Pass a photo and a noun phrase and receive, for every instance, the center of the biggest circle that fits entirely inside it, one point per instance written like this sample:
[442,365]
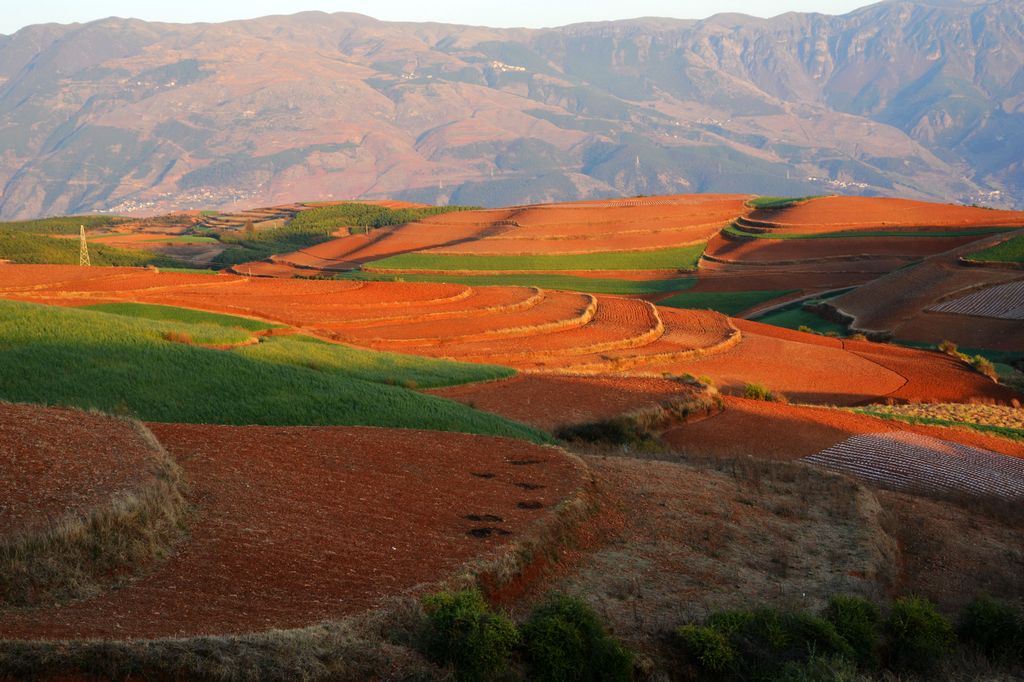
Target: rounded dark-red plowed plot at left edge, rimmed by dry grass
[55,462]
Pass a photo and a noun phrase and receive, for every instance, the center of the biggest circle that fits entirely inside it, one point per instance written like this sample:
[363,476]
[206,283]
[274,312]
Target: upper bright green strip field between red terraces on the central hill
[684,259]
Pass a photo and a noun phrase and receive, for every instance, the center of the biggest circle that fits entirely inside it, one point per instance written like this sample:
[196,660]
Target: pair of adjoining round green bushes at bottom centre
[563,641]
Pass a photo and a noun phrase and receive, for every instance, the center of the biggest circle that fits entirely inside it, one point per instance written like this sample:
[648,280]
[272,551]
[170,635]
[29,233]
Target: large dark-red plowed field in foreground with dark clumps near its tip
[297,526]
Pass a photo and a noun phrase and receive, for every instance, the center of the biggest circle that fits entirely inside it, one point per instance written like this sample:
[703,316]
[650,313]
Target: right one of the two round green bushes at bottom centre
[565,641]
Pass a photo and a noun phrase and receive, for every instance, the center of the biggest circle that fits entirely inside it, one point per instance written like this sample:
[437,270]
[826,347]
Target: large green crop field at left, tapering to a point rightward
[87,359]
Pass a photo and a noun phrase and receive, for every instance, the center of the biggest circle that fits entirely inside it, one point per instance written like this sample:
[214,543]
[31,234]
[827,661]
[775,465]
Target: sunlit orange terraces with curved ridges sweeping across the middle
[536,330]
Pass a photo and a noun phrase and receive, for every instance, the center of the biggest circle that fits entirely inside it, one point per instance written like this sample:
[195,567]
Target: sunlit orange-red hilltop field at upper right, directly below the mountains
[833,214]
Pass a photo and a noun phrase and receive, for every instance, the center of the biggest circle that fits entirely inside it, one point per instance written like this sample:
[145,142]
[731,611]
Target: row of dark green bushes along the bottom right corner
[854,637]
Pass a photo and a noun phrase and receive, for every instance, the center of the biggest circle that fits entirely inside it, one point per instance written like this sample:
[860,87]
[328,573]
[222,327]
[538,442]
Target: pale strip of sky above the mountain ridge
[18,14]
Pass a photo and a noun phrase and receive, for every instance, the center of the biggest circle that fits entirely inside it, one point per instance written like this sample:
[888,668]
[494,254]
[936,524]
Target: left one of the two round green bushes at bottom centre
[463,633]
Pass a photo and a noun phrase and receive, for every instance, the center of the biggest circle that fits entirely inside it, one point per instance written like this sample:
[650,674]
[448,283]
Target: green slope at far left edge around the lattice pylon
[38,249]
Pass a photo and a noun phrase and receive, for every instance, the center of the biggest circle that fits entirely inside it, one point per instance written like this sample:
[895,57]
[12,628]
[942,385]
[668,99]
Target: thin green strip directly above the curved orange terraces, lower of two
[543,280]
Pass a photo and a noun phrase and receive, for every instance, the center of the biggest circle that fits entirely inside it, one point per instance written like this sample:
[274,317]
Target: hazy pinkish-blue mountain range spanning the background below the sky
[923,100]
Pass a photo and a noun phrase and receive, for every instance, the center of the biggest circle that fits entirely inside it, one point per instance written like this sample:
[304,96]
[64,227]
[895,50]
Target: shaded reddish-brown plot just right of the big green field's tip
[549,402]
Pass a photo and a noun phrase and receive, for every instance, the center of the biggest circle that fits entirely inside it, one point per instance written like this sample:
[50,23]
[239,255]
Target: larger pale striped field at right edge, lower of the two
[914,462]
